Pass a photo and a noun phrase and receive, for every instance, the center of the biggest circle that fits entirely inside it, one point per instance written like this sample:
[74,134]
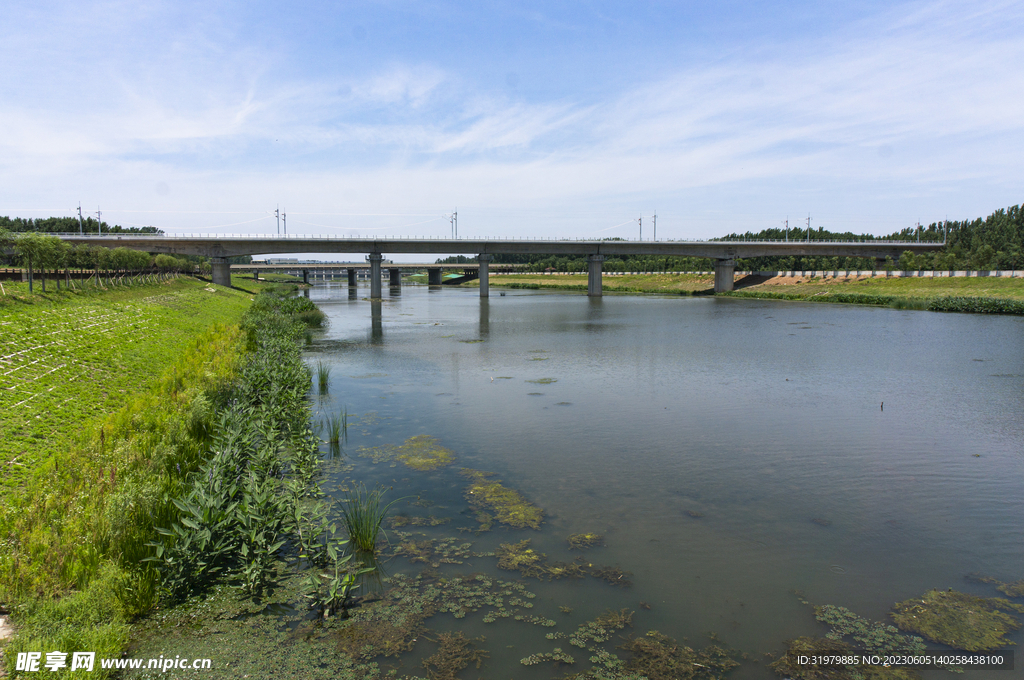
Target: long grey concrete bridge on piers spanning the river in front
[220,247]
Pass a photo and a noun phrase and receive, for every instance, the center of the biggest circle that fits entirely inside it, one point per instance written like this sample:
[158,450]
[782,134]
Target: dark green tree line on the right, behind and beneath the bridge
[996,242]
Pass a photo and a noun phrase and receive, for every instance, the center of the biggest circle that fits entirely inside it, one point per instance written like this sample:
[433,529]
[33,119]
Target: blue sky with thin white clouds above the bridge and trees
[529,119]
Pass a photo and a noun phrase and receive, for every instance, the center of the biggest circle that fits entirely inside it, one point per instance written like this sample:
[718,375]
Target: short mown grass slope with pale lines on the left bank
[69,360]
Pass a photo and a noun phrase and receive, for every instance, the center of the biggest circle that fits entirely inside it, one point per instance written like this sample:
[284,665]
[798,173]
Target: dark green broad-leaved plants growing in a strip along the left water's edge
[257,492]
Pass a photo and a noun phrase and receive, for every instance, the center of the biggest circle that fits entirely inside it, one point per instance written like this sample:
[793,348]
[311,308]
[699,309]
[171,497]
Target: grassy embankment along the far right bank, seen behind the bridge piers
[1001,295]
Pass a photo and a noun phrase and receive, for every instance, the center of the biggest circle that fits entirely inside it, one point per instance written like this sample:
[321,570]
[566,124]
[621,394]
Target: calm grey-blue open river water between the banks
[764,418]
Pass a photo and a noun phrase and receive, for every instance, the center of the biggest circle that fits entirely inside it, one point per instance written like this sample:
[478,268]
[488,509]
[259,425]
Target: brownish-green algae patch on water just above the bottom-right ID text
[961,621]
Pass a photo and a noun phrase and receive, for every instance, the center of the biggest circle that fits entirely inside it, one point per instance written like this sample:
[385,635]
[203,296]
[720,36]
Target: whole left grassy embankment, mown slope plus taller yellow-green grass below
[106,406]
